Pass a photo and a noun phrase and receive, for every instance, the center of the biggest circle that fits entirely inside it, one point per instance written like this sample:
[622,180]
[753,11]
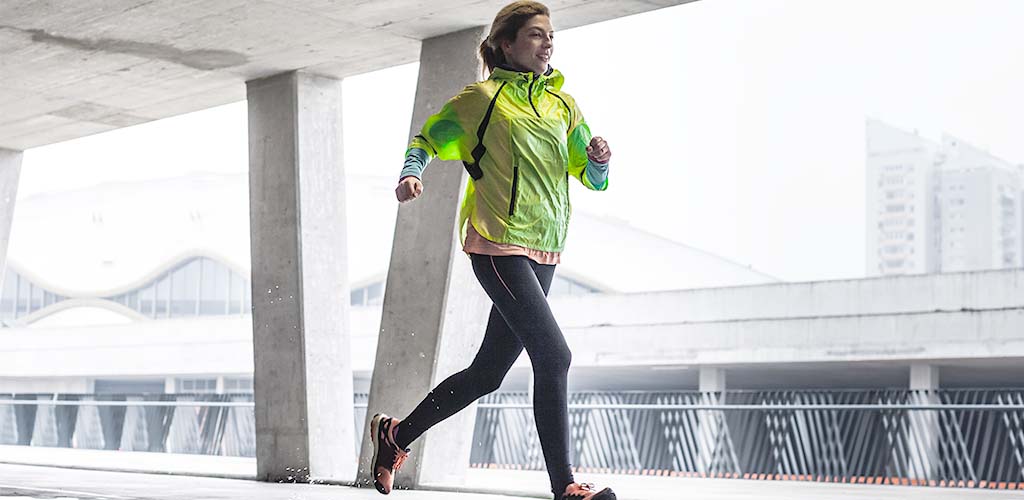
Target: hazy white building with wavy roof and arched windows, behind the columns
[136,288]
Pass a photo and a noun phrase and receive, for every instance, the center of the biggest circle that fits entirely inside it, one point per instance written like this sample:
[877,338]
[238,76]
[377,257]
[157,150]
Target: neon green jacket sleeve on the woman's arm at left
[451,134]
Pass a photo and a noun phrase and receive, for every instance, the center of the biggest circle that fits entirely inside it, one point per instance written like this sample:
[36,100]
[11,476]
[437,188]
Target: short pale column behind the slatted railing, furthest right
[923,429]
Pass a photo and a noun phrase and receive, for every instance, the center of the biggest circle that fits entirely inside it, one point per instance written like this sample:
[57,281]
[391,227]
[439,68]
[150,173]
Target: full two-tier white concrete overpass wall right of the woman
[972,316]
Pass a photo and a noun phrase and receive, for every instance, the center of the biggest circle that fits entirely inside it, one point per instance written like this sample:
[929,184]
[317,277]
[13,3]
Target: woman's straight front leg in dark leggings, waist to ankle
[519,288]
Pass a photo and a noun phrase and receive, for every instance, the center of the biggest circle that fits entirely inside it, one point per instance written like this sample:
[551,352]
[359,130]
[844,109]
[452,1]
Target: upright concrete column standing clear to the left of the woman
[304,373]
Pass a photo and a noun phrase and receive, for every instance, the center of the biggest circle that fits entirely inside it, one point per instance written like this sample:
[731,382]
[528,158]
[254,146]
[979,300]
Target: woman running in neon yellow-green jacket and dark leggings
[522,139]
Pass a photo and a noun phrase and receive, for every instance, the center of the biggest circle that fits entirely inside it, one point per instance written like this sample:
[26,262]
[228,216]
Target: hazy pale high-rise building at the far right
[938,207]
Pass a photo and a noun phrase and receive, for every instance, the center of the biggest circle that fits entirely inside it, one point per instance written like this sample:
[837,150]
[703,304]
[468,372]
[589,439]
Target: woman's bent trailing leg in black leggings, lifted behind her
[499,350]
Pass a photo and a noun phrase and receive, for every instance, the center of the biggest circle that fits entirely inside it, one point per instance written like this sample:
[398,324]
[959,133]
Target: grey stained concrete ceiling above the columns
[70,69]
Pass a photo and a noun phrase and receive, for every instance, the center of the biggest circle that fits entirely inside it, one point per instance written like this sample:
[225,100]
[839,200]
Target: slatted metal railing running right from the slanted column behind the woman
[942,438]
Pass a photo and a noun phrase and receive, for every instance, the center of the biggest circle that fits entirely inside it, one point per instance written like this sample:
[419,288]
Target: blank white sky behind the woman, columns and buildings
[738,127]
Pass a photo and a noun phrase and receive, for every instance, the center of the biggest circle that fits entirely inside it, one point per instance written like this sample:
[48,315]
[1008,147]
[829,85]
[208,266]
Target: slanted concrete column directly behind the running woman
[435,311]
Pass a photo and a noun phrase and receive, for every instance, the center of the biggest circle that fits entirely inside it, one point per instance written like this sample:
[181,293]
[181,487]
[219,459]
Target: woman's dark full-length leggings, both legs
[520,319]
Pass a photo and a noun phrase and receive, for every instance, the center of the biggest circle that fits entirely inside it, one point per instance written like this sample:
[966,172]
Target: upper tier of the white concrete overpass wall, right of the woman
[863,298]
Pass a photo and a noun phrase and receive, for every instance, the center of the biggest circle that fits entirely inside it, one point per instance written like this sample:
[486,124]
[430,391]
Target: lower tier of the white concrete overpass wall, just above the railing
[928,337]
